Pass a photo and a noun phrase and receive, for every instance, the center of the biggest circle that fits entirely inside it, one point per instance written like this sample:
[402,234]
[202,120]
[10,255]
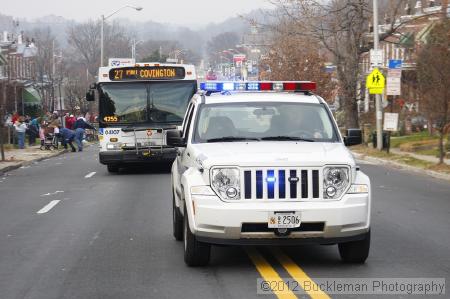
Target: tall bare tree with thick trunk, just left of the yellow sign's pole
[341,27]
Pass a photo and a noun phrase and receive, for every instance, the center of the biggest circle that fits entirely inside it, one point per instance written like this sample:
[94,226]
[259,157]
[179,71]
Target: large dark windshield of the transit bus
[145,102]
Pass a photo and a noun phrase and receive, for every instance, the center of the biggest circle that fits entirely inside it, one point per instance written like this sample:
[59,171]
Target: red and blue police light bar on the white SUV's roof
[216,86]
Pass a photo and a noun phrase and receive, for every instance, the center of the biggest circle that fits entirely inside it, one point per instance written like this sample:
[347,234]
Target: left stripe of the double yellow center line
[269,274]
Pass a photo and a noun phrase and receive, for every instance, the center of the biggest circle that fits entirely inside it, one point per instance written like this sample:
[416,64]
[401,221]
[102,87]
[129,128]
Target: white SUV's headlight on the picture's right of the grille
[335,181]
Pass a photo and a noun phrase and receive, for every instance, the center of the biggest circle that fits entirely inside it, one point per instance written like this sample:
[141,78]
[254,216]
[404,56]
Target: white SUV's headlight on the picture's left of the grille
[226,183]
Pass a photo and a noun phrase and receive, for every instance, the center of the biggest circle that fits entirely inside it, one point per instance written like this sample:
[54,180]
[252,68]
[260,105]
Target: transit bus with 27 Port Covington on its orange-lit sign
[138,104]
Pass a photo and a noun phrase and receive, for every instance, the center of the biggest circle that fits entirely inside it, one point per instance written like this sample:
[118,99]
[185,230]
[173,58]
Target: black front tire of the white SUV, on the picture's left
[195,253]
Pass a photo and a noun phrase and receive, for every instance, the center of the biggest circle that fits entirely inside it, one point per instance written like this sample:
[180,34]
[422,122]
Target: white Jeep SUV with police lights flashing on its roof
[265,168]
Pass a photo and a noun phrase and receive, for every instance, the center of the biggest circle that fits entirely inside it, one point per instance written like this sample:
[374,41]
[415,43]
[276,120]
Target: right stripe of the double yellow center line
[298,274]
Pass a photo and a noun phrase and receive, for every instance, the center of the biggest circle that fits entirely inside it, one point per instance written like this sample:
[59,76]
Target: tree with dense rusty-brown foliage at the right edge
[433,67]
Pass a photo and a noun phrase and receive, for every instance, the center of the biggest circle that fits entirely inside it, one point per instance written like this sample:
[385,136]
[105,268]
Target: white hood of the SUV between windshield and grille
[273,153]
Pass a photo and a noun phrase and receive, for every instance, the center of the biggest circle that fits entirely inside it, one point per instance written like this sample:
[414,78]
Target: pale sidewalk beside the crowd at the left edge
[16,158]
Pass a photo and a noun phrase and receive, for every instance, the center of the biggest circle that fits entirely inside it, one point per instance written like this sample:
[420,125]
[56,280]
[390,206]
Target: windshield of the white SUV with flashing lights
[264,121]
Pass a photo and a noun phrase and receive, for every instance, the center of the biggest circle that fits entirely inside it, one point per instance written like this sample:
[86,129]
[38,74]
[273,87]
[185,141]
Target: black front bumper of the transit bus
[133,157]
